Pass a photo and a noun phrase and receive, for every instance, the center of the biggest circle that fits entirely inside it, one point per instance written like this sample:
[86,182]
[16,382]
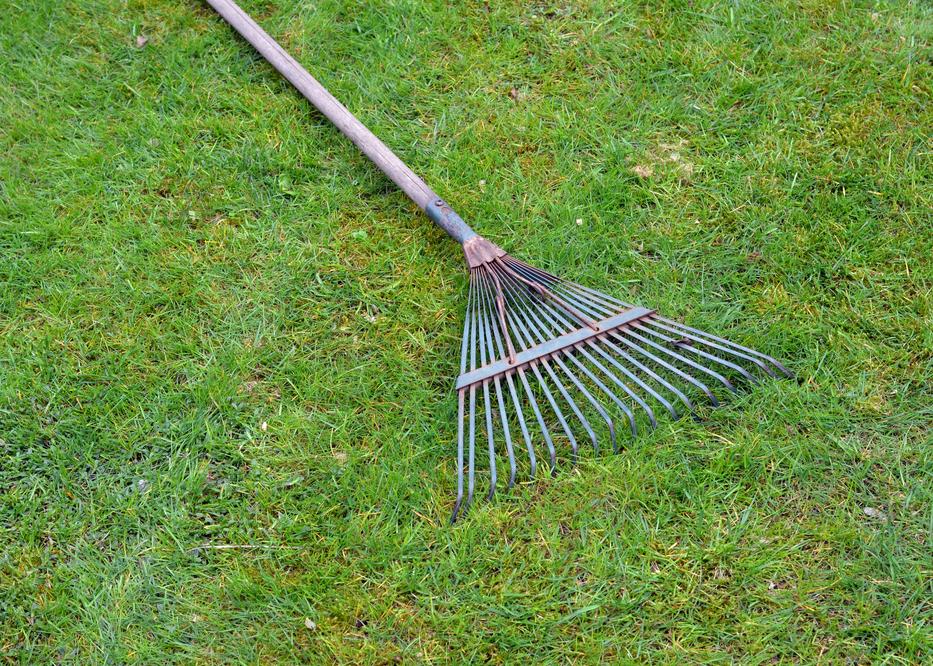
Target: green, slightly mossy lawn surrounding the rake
[229,345]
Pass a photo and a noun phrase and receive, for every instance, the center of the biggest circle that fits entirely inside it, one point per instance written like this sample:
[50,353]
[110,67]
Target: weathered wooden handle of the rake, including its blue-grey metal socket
[368,143]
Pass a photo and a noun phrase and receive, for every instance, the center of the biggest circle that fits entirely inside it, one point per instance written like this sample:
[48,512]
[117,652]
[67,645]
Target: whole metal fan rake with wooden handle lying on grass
[542,358]
